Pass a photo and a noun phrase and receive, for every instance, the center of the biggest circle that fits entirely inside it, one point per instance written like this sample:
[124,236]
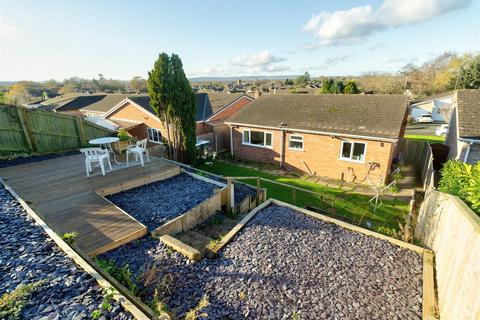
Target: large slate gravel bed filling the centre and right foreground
[284,264]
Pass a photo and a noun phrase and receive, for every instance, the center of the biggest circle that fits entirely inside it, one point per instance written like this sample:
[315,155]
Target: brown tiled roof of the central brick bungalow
[379,116]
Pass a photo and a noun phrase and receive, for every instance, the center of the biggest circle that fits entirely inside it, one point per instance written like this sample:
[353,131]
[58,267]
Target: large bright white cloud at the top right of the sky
[355,24]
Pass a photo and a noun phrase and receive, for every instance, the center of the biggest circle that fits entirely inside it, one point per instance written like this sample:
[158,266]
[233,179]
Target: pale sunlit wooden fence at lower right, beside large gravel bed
[452,231]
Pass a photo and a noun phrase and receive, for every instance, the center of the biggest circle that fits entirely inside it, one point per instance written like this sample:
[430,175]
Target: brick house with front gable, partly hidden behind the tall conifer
[130,112]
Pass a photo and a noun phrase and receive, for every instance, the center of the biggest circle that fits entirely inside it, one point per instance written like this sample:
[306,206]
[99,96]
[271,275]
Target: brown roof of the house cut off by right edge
[468,105]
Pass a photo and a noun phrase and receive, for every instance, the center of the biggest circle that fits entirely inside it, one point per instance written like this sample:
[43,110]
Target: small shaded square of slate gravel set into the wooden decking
[158,202]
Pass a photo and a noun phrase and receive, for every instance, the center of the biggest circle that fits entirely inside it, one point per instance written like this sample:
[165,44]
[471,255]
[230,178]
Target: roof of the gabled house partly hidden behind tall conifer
[104,102]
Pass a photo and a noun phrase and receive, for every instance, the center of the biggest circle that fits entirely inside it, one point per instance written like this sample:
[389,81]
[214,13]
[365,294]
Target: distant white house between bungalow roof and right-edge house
[438,106]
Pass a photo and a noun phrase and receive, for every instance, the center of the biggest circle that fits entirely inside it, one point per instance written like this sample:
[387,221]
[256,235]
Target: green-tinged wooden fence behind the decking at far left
[22,130]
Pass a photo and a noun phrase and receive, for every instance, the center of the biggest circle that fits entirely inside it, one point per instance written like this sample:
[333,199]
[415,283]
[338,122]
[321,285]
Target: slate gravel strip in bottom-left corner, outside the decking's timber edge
[28,255]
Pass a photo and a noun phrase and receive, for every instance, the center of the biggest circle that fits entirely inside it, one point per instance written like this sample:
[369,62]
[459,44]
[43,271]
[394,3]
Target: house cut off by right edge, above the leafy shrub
[463,136]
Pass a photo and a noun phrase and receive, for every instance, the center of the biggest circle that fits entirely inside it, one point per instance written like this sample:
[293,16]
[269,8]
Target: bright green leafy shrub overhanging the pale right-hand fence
[462,180]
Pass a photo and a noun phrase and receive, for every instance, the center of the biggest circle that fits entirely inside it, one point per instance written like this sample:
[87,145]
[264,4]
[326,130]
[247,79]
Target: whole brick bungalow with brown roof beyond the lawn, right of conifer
[347,137]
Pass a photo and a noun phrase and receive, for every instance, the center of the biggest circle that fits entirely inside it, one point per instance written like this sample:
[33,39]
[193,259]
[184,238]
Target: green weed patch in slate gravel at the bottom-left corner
[12,303]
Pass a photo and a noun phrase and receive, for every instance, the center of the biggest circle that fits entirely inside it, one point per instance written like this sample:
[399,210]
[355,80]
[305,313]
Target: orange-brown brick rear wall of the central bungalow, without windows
[321,155]
